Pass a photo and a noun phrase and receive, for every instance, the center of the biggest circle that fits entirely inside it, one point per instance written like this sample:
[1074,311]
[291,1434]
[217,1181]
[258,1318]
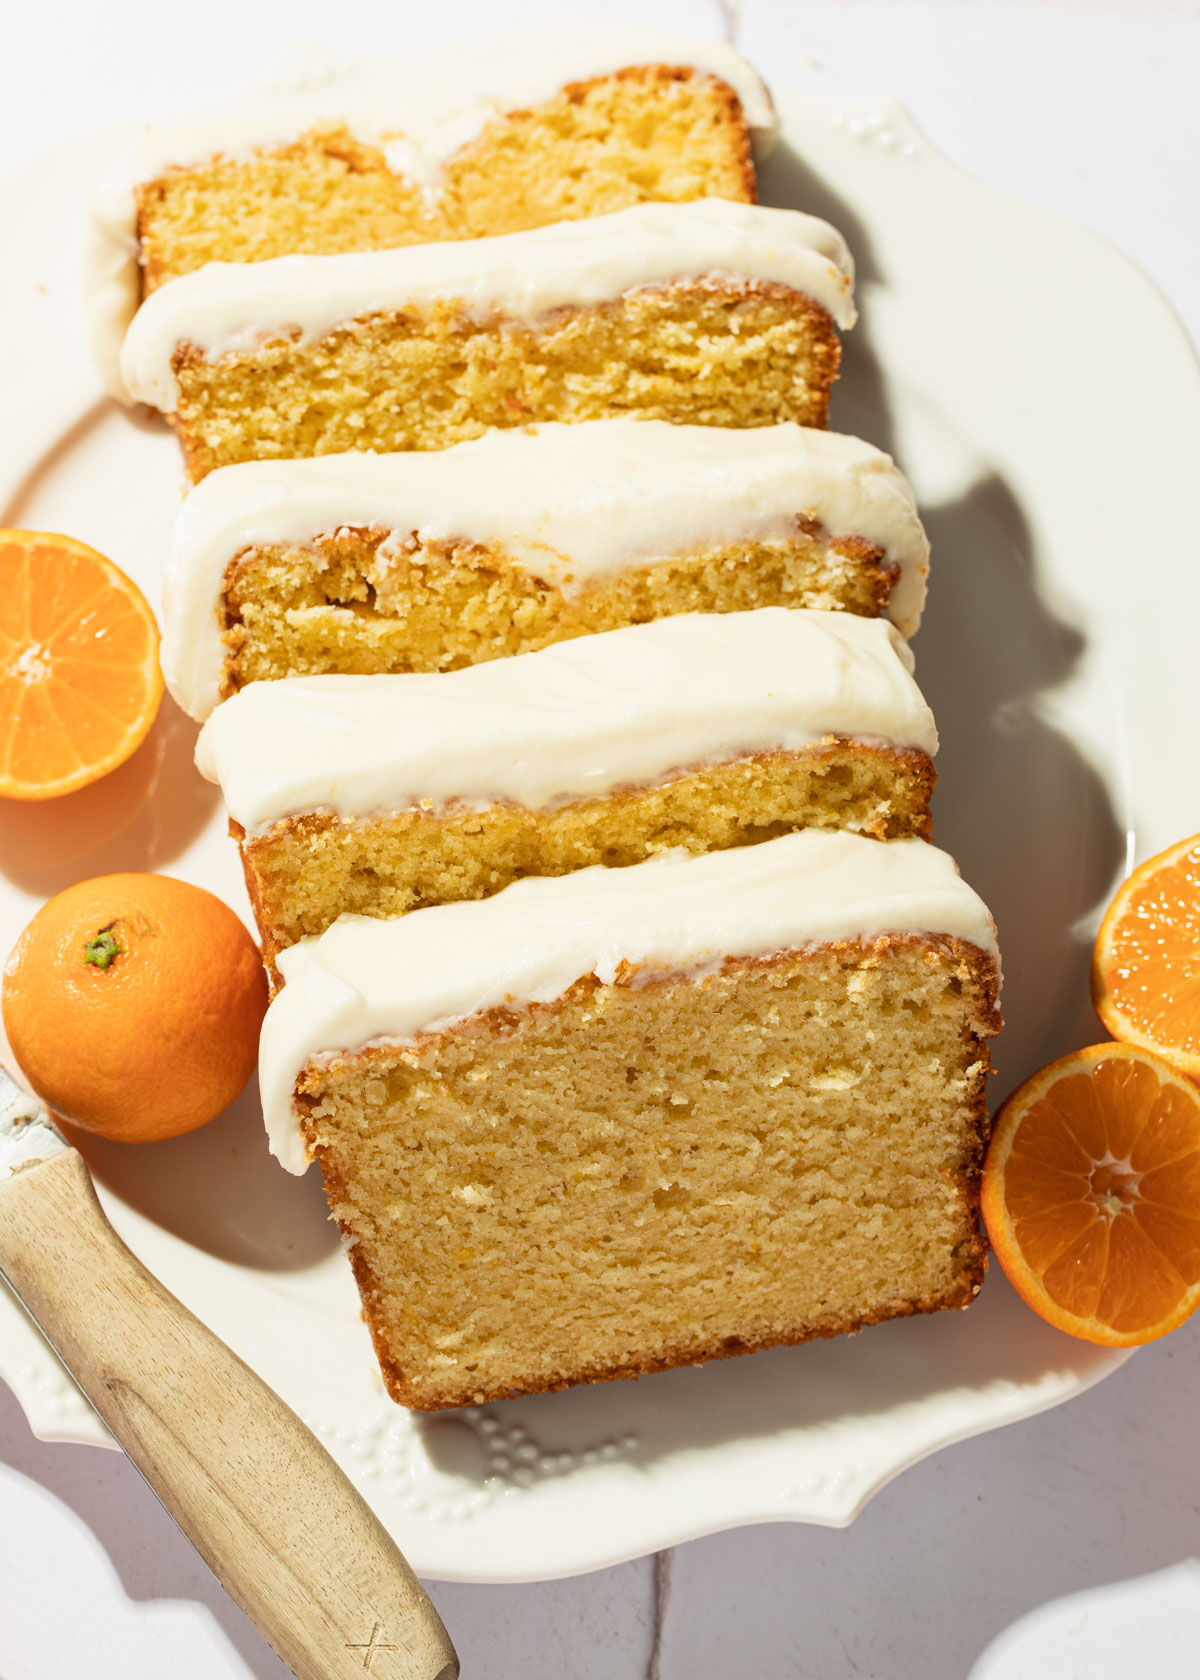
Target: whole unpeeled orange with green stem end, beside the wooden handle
[134,1005]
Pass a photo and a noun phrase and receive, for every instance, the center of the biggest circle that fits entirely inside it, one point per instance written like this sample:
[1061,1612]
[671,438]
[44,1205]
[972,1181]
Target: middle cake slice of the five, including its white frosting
[428,562]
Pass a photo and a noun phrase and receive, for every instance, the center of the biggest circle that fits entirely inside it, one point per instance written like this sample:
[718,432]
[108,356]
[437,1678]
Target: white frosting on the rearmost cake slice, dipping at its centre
[419,110]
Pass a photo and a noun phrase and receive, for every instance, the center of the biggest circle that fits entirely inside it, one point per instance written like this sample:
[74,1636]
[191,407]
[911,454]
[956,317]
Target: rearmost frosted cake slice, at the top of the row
[495,137]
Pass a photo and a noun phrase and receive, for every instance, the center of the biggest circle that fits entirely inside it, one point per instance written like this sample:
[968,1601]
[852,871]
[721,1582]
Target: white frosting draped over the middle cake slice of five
[569,503]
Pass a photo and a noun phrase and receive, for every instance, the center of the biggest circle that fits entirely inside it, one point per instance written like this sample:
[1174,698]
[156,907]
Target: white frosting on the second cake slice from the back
[234,307]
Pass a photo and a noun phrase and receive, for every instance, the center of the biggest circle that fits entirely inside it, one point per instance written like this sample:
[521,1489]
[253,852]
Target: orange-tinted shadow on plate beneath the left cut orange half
[139,819]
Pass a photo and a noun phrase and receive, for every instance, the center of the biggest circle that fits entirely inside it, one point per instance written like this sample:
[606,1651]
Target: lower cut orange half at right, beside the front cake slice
[1092,1195]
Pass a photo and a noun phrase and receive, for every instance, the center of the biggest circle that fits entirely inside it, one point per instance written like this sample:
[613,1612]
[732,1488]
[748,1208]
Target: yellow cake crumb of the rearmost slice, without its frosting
[650,134]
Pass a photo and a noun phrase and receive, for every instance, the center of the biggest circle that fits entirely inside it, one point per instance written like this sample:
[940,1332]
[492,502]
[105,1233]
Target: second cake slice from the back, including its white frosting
[713,313]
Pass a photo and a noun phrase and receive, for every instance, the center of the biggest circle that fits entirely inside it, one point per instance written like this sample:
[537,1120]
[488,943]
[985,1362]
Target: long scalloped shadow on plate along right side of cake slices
[1026,817]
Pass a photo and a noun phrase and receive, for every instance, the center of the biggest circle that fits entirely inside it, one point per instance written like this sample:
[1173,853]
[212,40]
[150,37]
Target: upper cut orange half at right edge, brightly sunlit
[1147,958]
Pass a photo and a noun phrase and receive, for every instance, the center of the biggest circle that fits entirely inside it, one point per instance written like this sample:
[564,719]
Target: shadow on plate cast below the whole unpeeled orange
[221,1190]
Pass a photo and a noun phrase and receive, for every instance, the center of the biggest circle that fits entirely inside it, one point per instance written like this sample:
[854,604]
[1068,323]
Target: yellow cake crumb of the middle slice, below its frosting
[344,607]
